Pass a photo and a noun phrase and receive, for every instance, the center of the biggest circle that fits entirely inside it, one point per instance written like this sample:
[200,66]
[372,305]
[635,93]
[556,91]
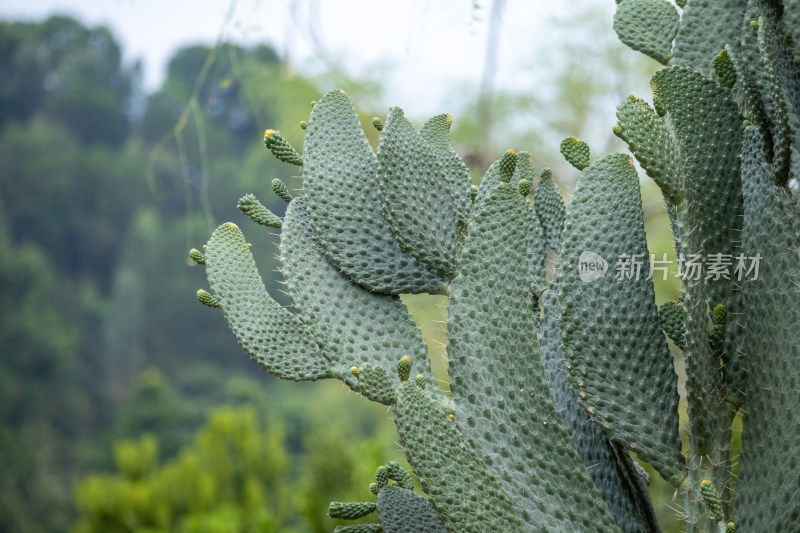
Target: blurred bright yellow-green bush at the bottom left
[237,476]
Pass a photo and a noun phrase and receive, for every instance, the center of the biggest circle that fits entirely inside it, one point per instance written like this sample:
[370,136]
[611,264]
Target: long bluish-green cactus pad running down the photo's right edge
[767,488]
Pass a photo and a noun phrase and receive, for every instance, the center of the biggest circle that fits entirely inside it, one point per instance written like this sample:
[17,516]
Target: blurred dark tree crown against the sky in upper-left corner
[71,73]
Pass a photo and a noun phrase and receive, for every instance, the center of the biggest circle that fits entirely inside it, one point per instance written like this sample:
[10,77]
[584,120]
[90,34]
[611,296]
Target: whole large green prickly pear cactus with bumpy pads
[554,382]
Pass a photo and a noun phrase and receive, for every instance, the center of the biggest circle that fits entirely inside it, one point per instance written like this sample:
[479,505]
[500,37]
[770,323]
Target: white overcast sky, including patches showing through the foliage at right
[428,54]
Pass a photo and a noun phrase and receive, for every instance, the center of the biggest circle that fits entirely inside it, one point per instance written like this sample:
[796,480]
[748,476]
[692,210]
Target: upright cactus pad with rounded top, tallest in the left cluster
[341,184]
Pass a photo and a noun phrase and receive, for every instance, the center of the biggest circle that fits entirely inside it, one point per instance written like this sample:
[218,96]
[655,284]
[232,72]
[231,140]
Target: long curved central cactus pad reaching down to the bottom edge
[504,406]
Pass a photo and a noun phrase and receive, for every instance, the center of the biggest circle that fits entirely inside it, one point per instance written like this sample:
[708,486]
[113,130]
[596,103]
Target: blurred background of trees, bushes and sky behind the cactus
[128,130]
